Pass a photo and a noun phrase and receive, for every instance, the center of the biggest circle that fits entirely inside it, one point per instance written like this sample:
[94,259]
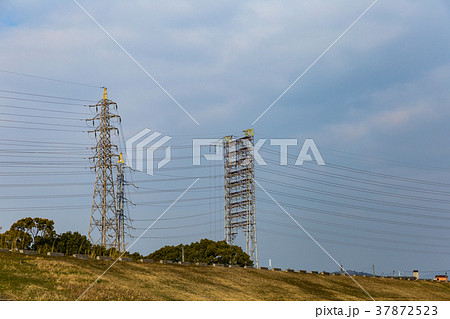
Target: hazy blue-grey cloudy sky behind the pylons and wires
[376,105]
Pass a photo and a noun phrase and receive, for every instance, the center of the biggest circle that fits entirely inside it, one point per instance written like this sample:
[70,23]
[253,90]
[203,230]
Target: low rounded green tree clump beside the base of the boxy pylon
[205,251]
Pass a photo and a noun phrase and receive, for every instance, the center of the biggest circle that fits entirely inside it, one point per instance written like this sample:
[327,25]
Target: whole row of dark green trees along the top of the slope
[39,234]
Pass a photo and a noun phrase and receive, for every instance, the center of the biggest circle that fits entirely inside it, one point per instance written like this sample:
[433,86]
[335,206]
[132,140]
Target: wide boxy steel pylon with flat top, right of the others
[239,174]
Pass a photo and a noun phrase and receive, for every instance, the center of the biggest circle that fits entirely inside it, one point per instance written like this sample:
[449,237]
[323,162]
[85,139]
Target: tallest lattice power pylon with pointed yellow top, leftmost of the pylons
[104,217]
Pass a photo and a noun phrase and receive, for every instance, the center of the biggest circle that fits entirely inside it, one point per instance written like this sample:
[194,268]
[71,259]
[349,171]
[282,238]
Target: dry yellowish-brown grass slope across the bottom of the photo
[52,278]
